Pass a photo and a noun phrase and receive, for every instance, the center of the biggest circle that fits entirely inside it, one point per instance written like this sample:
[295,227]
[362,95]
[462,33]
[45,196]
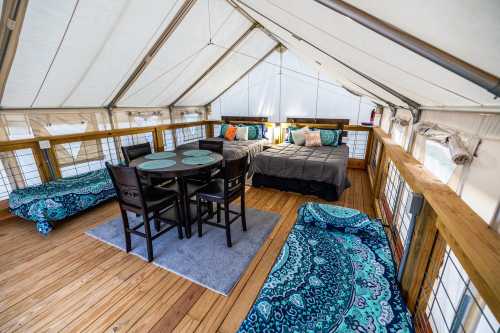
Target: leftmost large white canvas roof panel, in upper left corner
[76,53]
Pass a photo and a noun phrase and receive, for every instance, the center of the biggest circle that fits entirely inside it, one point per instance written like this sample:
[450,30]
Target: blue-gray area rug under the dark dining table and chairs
[206,261]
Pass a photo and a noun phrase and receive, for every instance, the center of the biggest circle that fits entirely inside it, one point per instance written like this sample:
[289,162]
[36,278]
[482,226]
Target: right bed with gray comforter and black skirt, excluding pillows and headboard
[321,171]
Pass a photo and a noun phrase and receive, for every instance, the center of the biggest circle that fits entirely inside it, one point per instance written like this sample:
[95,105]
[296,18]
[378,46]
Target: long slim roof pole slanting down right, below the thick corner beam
[411,103]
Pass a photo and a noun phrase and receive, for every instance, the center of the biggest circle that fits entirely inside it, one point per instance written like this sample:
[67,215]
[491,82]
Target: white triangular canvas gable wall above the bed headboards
[301,92]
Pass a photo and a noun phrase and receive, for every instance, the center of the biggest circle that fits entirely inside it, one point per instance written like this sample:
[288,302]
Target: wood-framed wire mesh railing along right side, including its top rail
[432,245]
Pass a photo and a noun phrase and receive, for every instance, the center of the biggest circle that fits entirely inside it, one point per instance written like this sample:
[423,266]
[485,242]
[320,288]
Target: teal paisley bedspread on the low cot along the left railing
[61,198]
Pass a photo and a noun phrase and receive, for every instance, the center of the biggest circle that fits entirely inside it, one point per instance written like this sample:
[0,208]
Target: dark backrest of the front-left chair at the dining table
[127,185]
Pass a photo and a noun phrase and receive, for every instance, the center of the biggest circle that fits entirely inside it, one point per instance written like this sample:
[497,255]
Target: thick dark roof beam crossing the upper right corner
[442,58]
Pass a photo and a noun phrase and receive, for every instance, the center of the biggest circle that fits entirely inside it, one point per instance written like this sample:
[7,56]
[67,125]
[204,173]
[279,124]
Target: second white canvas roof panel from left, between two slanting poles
[196,44]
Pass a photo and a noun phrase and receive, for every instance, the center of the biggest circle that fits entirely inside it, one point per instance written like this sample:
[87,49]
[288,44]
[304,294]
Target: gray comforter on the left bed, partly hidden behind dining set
[235,149]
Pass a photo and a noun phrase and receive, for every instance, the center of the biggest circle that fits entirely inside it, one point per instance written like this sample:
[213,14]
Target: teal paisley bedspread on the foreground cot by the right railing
[335,273]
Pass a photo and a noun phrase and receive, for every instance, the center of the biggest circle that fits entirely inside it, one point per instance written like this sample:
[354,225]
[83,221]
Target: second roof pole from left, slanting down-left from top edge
[153,51]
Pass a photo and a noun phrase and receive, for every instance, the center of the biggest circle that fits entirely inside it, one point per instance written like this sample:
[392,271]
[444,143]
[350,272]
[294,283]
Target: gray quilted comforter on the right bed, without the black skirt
[322,164]
